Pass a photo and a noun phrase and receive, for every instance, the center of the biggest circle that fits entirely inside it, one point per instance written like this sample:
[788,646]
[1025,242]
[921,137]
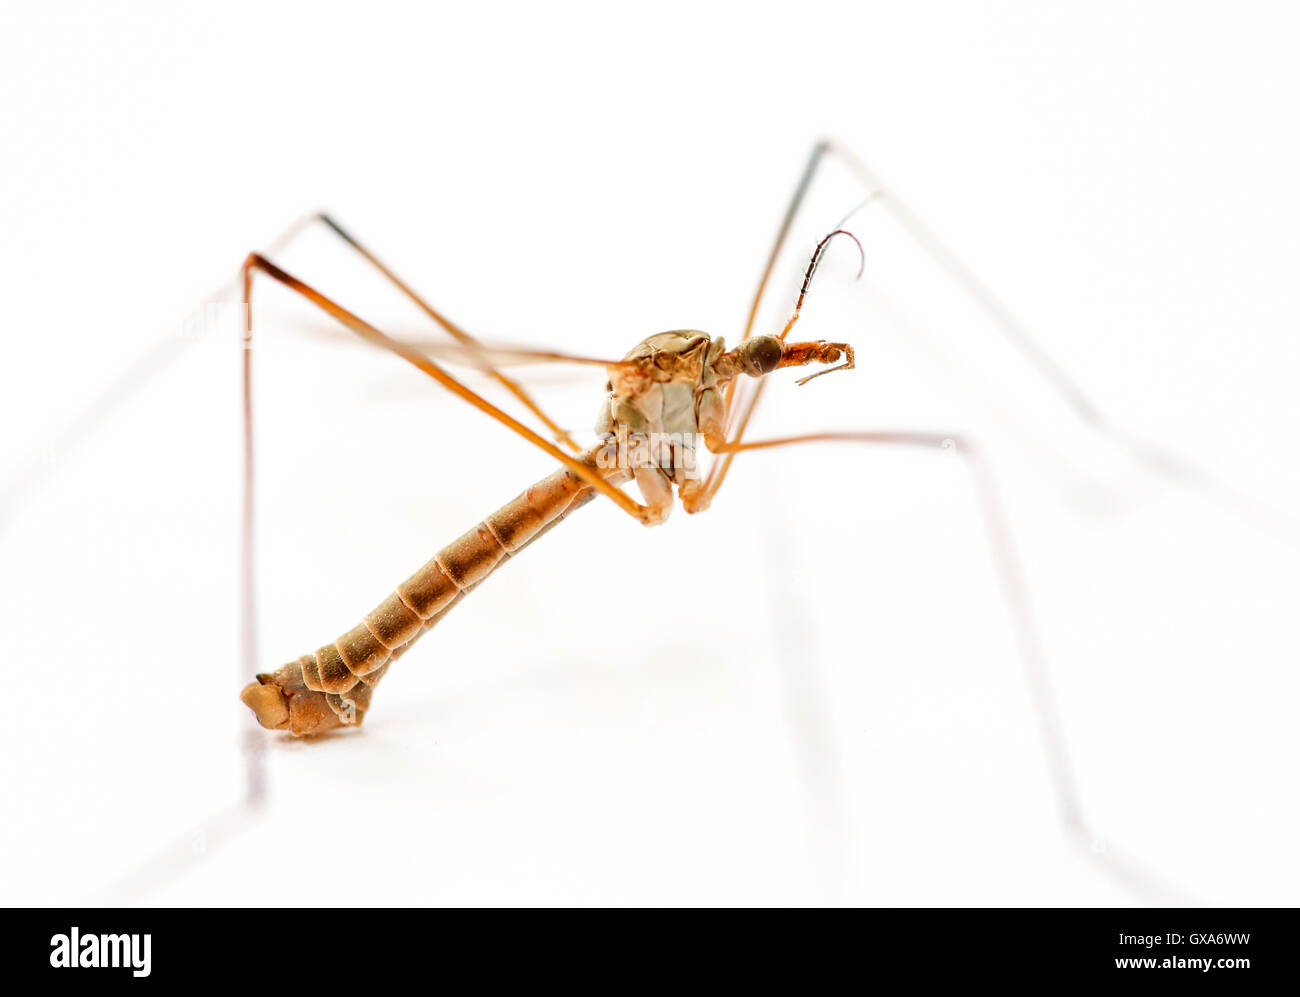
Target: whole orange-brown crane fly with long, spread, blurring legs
[675,414]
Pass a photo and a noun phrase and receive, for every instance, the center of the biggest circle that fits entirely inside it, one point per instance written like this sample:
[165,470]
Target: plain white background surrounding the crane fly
[809,695]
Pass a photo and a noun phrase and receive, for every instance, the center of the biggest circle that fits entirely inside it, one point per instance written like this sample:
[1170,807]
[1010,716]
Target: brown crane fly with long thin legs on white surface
[684,387]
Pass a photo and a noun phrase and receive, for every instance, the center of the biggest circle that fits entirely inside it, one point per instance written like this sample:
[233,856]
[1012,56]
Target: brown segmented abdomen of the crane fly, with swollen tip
[333,686]
